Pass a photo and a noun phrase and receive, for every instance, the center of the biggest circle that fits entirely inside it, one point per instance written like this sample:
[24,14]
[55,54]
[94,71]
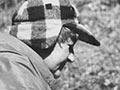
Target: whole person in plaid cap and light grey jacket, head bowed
[39,24]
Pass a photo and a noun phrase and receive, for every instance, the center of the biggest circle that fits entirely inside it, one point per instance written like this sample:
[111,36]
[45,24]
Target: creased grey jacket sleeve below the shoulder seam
[16,73]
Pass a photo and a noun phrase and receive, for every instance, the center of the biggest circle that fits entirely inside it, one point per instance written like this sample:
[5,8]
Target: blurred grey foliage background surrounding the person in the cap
[95,68]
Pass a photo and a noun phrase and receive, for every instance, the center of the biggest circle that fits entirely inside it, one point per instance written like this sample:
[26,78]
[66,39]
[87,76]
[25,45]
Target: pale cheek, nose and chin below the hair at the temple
[58,58]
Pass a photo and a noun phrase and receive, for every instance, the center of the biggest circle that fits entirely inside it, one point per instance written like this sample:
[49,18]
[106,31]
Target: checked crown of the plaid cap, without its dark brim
[38,22]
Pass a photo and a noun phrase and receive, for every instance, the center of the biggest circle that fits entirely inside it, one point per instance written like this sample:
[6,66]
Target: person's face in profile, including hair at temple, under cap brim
[62,53]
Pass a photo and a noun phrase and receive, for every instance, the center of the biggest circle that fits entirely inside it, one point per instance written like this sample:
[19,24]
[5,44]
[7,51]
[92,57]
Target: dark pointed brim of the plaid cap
[84,34]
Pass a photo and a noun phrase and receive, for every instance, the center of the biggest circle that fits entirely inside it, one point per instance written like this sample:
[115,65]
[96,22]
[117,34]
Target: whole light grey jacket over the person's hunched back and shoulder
[21,68]
